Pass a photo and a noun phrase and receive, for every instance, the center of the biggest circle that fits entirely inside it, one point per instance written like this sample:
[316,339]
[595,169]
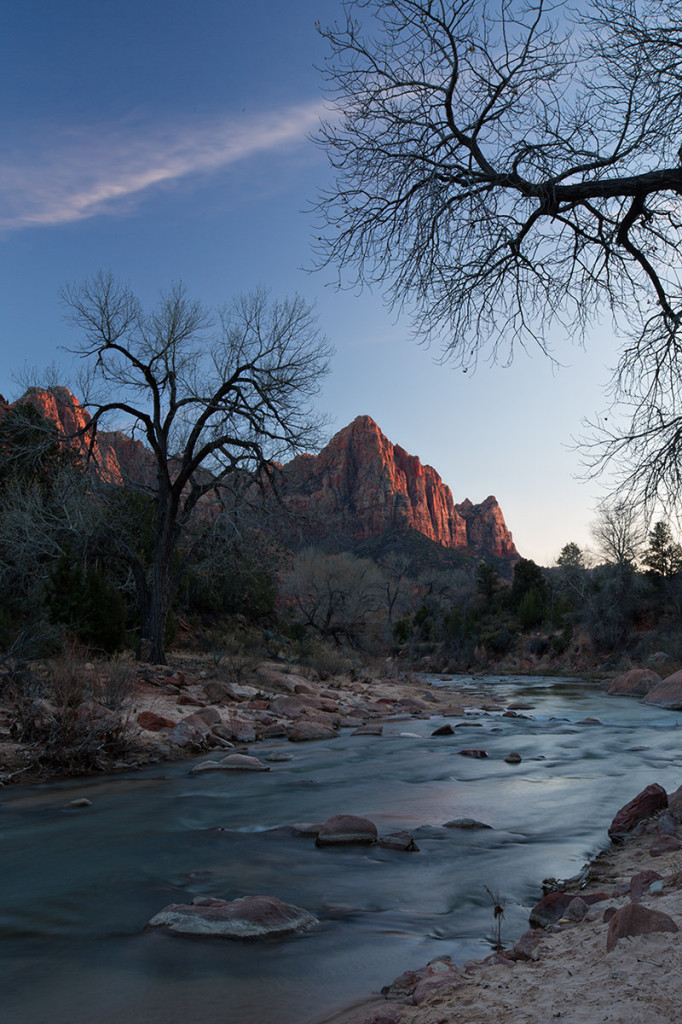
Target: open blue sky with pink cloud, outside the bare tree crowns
[169,141]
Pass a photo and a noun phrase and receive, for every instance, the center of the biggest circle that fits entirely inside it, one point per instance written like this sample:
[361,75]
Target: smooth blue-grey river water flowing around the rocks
[80,885]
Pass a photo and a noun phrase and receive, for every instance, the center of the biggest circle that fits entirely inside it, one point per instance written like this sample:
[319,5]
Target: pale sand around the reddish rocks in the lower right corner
[575,980]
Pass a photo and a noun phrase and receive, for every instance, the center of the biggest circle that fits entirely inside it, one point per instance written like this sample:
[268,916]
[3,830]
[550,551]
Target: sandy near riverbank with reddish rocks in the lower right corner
[569,971]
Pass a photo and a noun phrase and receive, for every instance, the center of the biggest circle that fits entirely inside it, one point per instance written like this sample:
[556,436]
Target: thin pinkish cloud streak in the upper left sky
[84,173]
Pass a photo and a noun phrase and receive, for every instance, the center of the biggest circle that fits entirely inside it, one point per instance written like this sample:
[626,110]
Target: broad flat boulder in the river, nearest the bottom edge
[248,918]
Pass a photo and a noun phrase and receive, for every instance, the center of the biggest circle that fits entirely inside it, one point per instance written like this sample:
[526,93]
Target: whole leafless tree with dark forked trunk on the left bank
[212,395]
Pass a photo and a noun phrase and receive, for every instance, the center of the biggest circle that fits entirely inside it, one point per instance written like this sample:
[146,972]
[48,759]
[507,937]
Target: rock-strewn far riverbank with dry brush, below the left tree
[74,717]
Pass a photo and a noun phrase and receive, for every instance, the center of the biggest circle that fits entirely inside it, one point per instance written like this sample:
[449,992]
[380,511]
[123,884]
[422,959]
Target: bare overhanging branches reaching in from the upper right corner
[504,167]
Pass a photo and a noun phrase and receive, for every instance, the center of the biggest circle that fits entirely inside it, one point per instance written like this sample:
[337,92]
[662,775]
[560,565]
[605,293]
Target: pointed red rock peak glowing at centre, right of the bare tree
[362,485]
